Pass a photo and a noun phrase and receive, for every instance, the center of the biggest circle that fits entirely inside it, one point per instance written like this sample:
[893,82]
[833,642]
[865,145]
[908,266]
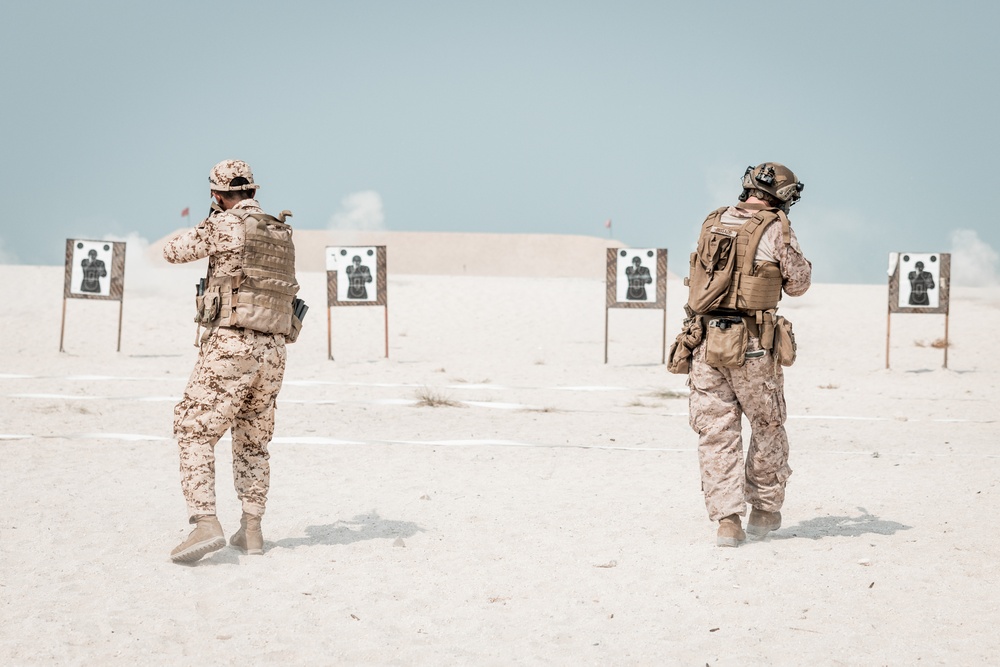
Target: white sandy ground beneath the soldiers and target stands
[554,516]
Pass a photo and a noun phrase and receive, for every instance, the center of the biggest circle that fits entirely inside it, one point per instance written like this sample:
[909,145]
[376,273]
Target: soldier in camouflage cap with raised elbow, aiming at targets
[241,360]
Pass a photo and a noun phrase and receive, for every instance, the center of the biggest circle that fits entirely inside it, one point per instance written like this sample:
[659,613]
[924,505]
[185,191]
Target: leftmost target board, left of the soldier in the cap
[94,269]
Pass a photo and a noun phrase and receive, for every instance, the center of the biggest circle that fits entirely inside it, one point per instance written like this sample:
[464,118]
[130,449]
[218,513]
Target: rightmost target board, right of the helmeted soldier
[919,282]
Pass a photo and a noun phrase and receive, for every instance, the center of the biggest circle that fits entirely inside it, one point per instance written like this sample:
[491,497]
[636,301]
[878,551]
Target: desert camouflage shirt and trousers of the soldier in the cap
[234,383]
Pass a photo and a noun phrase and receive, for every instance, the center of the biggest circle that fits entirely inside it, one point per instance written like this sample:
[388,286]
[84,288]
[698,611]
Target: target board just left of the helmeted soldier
[637,278]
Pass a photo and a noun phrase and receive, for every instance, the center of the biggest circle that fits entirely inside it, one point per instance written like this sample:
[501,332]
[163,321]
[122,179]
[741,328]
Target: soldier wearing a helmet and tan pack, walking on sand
[747,257]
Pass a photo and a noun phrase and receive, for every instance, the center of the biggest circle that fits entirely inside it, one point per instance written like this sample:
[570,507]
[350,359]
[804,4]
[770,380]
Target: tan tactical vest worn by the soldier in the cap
[260,297]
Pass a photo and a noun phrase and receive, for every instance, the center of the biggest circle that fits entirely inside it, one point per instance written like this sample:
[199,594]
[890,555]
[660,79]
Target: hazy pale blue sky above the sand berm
[509,116]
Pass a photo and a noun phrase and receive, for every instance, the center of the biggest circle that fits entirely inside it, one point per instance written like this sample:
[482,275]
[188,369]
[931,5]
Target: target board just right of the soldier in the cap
[356,276]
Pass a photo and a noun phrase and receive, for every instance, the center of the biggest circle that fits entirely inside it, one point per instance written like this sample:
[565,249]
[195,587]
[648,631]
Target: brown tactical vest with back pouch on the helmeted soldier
[723,273]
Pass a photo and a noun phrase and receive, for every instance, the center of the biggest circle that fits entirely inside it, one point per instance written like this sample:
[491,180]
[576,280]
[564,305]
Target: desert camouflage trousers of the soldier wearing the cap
[233,386]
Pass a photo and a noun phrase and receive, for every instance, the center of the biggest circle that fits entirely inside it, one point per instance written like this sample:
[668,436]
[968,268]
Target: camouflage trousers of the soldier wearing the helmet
[719,398]
